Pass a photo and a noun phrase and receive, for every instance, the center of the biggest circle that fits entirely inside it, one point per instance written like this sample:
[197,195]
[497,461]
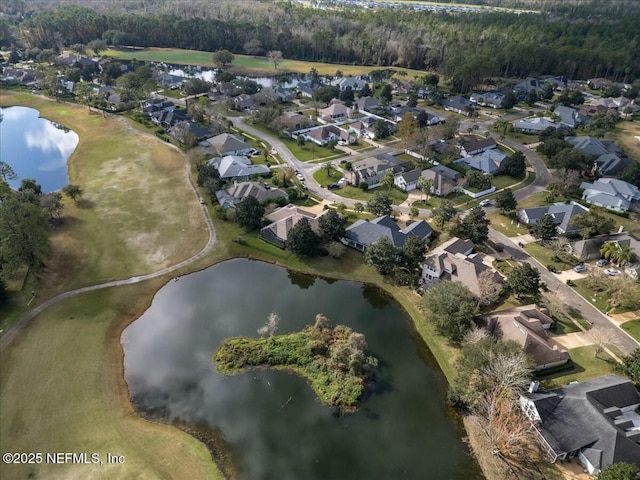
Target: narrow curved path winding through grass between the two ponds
[11,333]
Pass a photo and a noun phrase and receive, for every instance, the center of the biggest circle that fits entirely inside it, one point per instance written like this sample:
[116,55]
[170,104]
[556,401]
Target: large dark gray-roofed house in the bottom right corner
[595,421]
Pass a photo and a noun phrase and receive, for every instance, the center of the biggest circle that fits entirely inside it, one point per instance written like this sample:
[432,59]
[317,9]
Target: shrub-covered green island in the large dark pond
[331,358]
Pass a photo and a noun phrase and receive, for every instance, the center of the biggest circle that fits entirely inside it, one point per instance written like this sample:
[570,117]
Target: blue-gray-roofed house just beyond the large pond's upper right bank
[364,232]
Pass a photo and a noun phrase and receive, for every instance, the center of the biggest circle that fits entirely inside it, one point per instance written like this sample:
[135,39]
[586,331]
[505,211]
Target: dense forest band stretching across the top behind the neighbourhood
[584,40]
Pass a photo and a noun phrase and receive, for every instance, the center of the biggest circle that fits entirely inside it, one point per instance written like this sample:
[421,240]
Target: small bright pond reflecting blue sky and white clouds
[35,147]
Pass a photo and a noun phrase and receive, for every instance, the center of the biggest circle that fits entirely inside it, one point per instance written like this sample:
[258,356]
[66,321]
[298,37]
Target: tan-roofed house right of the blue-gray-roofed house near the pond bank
[454,260]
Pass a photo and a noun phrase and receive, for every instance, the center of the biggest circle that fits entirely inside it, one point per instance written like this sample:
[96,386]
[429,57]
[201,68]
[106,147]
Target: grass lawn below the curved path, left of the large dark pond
[63,391]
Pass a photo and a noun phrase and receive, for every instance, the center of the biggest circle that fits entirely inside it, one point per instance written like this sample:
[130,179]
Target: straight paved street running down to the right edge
[602,325]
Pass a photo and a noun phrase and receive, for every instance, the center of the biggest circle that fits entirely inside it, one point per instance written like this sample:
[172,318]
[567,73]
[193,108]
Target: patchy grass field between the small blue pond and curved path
[138,213]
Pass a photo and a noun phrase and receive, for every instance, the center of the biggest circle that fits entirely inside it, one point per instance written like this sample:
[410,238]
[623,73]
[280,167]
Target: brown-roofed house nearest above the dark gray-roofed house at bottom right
[527,326]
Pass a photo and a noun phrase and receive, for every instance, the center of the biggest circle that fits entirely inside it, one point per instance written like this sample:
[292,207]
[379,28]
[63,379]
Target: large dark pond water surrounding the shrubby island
[270,422]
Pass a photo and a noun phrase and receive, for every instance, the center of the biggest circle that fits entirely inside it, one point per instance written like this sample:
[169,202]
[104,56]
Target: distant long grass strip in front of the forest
[246,63]
